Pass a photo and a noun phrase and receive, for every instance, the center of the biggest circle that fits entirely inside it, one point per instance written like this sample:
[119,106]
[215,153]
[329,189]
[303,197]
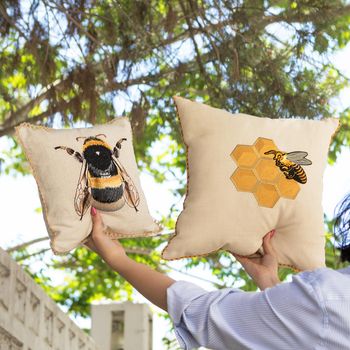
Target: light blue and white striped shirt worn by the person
[310,312]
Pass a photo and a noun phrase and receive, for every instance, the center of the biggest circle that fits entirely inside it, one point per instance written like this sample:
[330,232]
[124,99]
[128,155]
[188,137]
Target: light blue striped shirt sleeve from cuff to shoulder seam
[286,316]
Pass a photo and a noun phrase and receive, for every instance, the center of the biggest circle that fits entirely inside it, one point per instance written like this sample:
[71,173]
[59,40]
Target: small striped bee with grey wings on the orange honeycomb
[290,164]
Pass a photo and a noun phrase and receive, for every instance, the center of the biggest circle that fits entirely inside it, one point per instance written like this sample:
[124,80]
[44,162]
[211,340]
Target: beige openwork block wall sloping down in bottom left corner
[29,319]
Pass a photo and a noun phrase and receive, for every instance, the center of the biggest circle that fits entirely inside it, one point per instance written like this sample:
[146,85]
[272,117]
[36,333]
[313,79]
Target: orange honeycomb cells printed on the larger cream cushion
[257,173]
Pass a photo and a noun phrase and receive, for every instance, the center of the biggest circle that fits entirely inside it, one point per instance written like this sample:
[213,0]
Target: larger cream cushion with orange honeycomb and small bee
[246,176]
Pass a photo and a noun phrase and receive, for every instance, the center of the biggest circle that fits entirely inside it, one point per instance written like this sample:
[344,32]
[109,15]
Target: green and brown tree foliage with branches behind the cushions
[76,61]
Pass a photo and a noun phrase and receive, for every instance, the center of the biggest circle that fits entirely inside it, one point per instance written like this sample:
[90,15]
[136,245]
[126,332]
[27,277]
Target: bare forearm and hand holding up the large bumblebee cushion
[150,283]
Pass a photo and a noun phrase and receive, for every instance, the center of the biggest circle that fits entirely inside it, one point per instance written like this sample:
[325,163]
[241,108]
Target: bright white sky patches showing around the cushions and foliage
[20,222]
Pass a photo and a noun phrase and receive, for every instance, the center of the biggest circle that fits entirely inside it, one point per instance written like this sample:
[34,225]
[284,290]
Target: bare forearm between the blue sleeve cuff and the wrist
[150,283]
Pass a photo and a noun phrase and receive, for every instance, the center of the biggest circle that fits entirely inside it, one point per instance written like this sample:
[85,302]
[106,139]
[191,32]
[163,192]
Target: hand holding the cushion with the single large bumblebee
[102,244]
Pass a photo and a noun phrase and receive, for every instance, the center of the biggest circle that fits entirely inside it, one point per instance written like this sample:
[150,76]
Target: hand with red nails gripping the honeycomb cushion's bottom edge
[263,270]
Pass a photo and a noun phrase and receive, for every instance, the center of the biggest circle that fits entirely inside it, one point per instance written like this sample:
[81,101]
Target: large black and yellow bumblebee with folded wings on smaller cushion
[103,181]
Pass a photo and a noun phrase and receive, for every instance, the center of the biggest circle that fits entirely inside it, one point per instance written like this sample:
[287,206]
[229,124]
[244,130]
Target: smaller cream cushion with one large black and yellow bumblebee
[83,167]
